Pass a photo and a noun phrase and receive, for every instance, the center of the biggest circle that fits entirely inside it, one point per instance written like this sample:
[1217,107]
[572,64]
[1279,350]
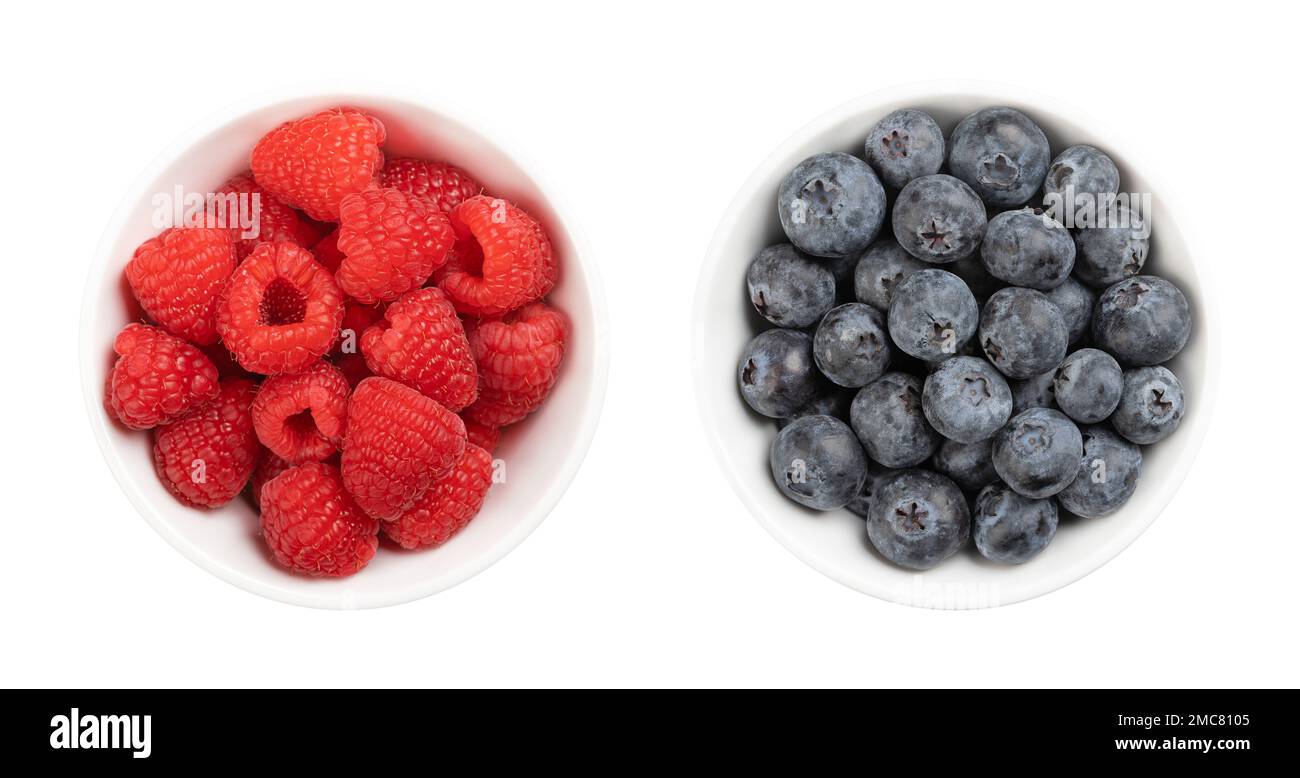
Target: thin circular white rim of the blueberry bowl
[995,93]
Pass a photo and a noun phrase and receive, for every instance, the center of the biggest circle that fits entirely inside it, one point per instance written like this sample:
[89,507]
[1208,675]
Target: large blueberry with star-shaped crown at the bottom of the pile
[918,520]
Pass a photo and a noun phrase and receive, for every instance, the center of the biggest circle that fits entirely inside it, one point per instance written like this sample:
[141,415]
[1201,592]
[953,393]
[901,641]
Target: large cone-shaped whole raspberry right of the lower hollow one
[398,443]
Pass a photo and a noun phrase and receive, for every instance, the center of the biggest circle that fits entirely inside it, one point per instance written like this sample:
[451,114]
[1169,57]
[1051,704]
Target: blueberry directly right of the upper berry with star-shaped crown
[1028,248]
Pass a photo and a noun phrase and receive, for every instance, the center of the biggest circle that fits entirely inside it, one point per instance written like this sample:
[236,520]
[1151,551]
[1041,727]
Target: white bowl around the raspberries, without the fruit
[541,455]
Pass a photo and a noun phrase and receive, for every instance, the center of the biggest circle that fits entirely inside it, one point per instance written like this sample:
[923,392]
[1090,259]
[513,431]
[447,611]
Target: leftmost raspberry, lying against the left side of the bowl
[158,378]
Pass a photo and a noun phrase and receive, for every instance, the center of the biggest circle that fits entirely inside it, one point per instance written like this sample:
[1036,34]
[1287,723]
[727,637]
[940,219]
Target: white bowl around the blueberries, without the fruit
[835,543]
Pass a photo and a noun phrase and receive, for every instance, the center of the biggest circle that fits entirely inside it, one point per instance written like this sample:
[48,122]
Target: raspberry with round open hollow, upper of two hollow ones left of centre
[281,310]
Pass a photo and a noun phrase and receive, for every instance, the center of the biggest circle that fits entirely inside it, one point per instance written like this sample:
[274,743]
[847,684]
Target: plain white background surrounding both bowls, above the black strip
[649,572]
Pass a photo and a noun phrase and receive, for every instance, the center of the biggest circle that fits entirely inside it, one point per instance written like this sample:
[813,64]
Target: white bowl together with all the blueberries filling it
[952,348]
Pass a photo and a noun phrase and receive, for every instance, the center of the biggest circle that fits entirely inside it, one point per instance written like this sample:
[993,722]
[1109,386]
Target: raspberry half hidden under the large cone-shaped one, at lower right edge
[448,505]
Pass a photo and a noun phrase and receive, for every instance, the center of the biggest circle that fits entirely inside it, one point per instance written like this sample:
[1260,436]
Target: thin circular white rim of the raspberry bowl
[90,343]
